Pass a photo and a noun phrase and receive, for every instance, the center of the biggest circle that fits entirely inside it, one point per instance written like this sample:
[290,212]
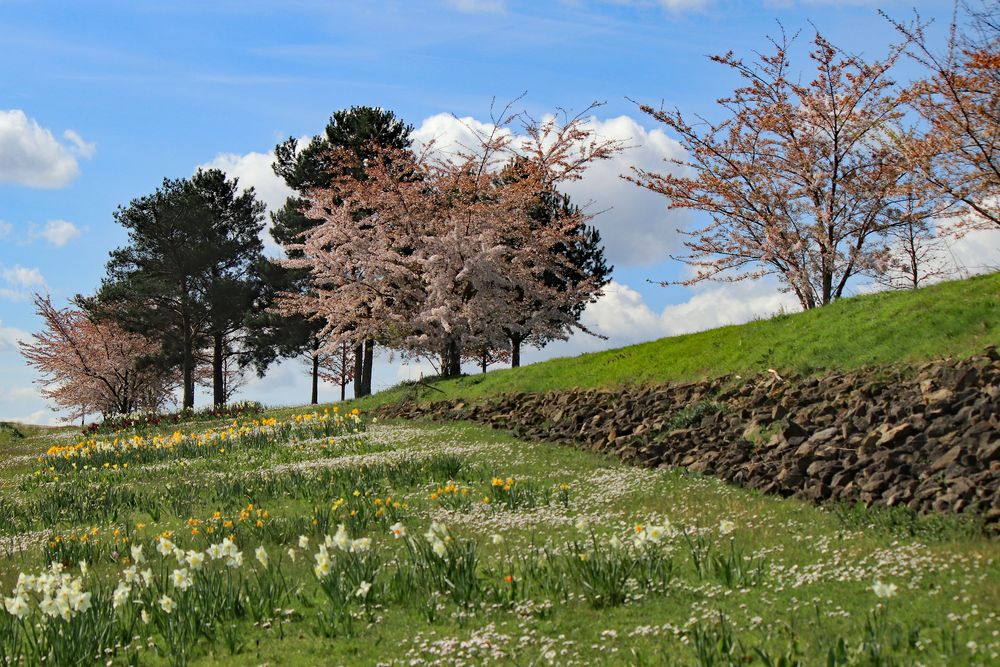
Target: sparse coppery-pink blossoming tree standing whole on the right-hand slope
[800,180]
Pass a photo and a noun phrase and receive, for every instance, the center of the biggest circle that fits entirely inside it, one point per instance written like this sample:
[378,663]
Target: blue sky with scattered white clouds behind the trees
[99,101]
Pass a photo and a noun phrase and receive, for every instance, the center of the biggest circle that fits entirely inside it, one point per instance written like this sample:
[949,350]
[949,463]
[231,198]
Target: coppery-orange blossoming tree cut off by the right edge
[959,101]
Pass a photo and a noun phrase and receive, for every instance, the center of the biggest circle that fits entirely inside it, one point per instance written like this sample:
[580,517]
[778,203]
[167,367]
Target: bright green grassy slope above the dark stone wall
[950,319]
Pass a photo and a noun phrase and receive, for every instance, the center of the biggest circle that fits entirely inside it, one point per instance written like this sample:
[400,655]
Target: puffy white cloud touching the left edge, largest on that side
[30,155]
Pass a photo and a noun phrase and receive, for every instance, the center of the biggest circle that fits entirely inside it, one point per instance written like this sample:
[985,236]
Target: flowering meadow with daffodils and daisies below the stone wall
[300,537]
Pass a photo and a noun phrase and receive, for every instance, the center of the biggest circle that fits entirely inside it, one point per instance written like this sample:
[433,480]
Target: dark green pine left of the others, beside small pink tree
[187,275]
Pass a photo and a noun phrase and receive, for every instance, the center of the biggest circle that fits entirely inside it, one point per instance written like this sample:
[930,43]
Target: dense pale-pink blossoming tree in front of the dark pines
[438,253]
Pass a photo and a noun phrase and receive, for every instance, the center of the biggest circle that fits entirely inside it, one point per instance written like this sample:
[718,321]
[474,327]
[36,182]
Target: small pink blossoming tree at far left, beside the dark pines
[91,366]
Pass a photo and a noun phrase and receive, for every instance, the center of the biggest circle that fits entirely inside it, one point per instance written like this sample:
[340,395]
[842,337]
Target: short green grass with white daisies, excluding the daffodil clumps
[813,587]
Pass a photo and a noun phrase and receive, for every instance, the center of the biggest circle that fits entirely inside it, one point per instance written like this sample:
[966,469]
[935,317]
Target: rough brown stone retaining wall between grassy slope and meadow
[927,437]
